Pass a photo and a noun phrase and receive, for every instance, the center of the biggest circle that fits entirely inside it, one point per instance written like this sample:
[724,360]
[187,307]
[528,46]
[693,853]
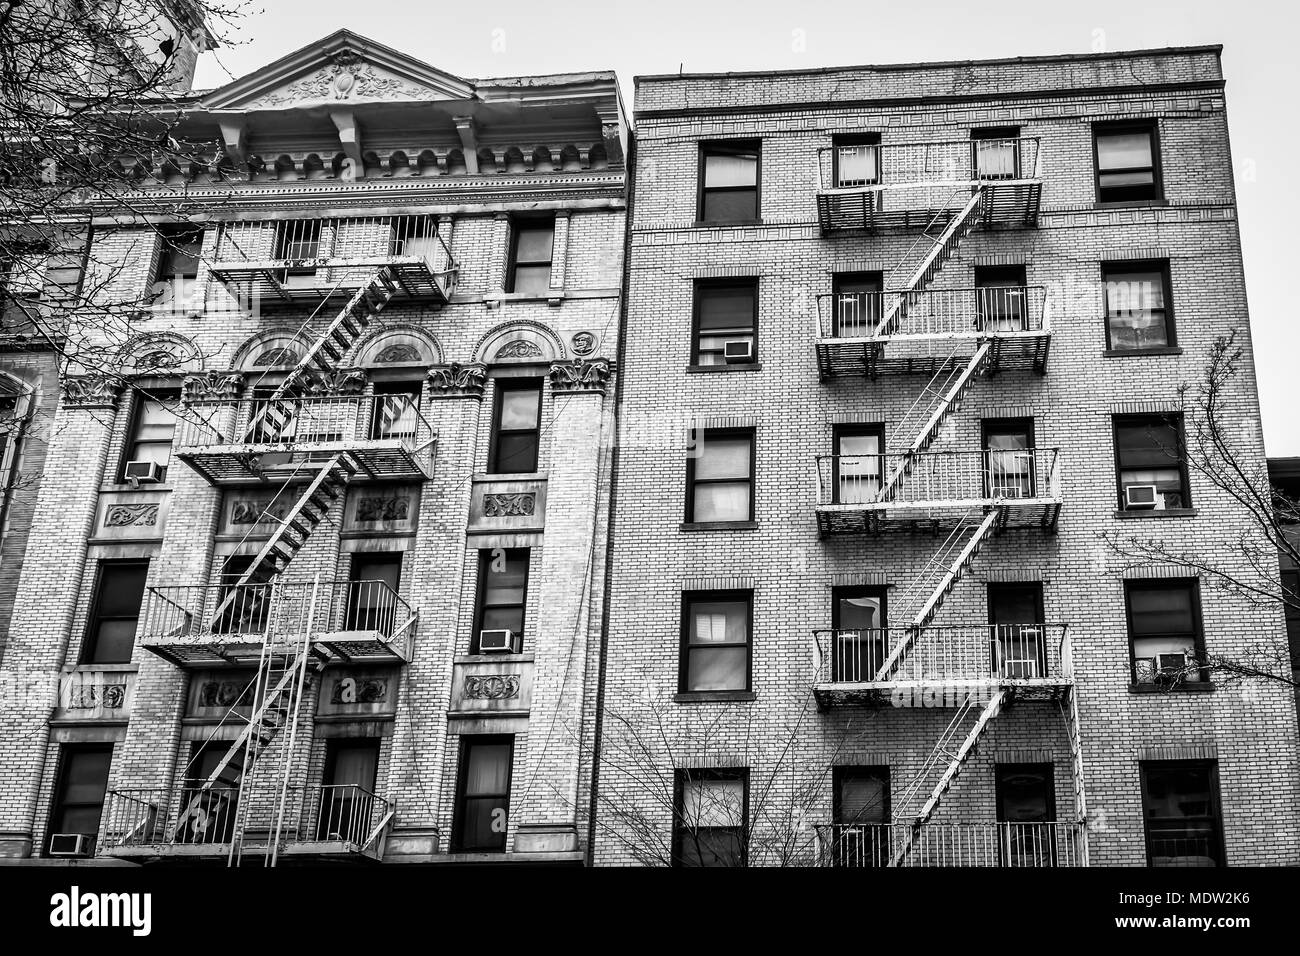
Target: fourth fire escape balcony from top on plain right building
[941,665]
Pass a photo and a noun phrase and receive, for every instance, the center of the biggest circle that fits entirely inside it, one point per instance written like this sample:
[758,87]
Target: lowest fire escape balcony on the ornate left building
[335,823]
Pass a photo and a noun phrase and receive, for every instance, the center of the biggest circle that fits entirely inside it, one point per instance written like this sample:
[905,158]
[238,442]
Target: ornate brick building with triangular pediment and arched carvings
[318,573]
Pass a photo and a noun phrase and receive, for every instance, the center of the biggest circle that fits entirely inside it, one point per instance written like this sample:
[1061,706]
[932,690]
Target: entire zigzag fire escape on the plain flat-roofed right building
[964,499]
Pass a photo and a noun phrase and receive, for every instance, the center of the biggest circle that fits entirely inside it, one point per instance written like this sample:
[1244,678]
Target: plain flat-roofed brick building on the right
[904,344]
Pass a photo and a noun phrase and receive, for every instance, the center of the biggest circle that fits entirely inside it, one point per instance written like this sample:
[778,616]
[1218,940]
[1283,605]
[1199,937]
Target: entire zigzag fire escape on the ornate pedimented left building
[304,445]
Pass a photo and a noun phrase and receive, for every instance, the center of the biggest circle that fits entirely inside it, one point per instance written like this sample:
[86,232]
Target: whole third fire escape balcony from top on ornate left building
[231,625]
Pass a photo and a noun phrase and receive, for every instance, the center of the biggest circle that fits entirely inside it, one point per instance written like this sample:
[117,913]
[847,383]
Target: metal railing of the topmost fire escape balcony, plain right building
[935,163]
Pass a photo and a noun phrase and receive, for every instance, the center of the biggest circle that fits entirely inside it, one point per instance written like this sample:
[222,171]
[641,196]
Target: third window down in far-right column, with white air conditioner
[1150,462]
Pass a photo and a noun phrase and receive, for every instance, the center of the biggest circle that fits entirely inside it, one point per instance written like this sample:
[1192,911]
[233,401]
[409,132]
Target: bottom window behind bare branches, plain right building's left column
[709,823]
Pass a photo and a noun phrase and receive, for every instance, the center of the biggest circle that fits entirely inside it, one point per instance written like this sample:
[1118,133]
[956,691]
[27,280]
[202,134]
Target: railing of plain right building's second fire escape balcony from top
[944,314]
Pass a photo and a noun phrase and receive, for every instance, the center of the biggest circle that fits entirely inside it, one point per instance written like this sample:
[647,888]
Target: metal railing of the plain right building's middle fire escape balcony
[941,478]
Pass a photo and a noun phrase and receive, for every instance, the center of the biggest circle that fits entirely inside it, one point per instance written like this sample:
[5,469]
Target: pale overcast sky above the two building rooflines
[518,38]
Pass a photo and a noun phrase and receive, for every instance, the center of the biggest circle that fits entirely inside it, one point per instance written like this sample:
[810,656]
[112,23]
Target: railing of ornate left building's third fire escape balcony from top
[285,609]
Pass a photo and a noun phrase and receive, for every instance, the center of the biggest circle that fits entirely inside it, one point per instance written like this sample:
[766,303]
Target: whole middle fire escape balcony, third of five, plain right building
[937,490]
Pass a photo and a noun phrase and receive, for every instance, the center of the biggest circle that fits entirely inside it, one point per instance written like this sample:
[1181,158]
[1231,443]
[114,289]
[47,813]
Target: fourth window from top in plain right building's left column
[716,637]
